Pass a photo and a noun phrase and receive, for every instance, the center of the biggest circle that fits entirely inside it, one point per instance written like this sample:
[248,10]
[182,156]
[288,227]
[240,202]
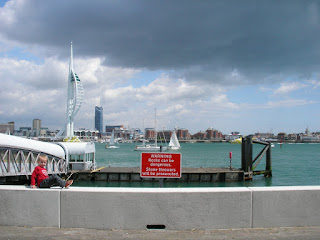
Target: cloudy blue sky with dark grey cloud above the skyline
[248,66]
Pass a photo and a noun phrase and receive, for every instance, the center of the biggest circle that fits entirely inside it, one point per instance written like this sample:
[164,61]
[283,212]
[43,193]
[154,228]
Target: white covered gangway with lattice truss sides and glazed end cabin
[19,156]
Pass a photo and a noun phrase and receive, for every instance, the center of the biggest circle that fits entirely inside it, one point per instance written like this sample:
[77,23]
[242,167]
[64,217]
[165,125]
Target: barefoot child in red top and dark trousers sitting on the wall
[41,177]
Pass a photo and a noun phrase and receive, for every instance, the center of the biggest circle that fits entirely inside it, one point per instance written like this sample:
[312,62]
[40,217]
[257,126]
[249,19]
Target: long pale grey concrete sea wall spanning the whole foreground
[173,208]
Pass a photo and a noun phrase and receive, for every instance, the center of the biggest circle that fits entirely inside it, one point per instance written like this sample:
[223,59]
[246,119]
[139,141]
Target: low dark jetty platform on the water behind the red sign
[188,175]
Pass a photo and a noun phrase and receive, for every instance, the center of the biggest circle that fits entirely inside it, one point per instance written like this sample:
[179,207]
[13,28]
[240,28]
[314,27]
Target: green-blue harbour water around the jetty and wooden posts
[292,164]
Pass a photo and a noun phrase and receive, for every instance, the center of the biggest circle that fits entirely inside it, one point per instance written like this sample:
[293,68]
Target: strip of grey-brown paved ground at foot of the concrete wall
[295,233]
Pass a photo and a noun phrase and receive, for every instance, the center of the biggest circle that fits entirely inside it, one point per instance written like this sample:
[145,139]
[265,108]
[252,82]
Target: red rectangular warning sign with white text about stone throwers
[160,165]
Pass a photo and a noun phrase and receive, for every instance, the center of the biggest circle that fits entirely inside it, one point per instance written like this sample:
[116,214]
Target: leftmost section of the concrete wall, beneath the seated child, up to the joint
[21,206]
